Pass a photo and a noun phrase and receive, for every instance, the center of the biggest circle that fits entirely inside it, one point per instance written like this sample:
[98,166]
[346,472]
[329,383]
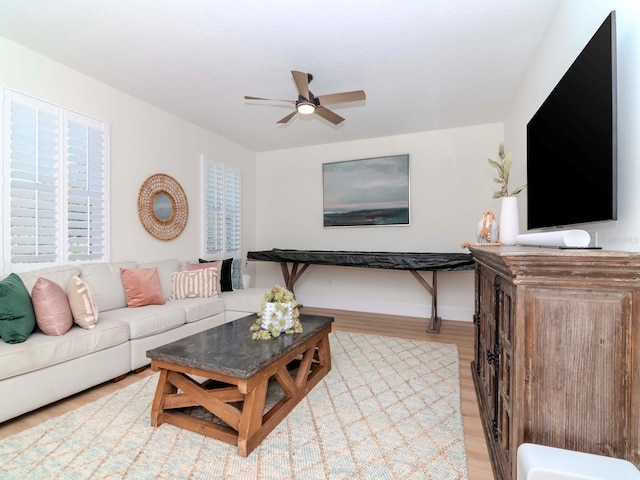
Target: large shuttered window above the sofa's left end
[55,181]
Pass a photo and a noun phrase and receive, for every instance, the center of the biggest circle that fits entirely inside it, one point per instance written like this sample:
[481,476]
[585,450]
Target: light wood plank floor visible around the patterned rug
[460,333]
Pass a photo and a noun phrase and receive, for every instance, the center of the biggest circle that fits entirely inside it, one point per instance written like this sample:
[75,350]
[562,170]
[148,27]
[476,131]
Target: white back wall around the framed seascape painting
[451,187]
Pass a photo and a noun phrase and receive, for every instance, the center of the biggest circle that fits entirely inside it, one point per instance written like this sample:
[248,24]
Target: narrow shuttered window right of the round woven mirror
[221,211]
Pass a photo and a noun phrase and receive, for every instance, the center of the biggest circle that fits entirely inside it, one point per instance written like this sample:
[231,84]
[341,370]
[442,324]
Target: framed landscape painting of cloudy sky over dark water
[367,192]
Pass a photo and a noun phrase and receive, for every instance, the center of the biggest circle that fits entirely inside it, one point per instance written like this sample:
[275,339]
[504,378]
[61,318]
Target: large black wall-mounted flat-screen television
[571,141]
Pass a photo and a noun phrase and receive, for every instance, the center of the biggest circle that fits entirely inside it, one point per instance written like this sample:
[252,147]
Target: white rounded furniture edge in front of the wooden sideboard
[537,462]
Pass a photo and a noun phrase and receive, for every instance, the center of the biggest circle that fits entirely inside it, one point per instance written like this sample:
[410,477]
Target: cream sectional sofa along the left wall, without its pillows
[44,368]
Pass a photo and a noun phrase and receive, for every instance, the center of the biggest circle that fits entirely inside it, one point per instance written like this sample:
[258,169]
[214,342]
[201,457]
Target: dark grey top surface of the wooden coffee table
[229,349]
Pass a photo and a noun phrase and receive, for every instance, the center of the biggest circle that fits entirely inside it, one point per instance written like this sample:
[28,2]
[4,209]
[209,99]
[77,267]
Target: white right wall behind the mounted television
[573,24]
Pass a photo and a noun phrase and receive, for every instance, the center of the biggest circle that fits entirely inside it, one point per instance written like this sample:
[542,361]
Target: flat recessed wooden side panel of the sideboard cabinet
[577,381]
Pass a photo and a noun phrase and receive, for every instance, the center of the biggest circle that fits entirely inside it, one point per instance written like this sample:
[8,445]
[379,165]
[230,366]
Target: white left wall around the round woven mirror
[144,140]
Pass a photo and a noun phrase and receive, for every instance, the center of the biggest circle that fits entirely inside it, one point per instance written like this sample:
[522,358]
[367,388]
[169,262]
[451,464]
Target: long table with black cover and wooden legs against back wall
[413,262]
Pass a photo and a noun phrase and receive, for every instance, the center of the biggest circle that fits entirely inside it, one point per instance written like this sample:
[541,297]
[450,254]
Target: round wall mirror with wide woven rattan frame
[163,207]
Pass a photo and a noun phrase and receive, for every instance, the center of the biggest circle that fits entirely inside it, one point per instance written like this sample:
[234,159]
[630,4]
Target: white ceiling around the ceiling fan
[424,64]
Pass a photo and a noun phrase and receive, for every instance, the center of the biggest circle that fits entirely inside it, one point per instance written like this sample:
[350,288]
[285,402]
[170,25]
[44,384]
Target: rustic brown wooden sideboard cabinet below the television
[557,348]
